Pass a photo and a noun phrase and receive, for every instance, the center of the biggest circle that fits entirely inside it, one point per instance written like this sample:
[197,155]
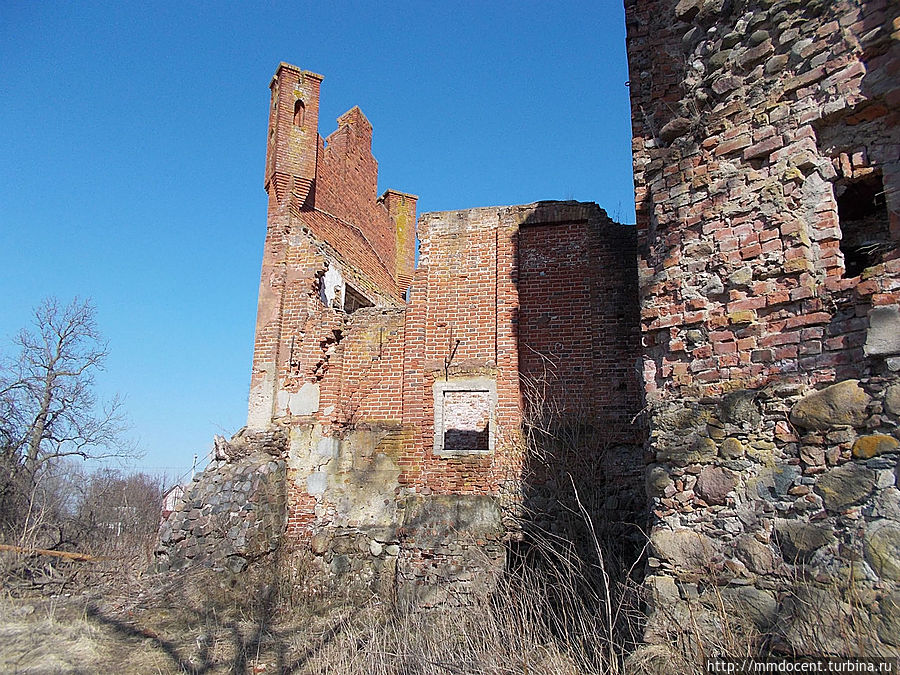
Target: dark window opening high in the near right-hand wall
[864,221]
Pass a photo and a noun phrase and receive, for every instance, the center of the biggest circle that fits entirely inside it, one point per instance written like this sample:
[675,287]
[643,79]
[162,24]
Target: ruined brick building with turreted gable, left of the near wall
[397,389]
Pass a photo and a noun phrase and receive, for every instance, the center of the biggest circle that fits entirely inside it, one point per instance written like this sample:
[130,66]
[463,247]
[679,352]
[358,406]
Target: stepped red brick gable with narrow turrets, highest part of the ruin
[323,212]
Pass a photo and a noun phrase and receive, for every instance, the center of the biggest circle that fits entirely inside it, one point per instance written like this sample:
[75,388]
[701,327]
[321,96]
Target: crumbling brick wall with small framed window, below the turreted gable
[428,403]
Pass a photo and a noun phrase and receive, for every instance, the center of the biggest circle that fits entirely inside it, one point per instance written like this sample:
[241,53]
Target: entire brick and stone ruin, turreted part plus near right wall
[753,314]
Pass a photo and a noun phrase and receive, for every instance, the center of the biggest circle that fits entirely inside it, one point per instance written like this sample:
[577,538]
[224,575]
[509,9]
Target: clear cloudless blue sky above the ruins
[132,138]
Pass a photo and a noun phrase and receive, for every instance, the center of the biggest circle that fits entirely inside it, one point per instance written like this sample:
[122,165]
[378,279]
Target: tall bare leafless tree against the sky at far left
[48,408]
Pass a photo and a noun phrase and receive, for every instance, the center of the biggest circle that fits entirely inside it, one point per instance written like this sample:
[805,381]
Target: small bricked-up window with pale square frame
[463,416]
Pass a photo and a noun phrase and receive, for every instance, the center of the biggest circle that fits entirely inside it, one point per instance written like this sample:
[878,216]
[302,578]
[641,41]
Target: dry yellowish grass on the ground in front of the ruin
[276,618]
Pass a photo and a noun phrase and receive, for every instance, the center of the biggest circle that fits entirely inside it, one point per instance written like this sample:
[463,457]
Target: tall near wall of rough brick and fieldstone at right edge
[767,179]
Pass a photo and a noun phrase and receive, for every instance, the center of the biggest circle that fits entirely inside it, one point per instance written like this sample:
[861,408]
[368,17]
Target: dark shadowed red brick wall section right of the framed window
[578,319]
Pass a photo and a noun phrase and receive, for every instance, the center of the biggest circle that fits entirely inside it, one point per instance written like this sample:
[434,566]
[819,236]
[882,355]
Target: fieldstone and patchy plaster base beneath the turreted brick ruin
[423,550]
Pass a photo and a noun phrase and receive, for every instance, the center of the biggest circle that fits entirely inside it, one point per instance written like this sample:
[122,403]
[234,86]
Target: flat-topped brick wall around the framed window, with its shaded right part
[496,286]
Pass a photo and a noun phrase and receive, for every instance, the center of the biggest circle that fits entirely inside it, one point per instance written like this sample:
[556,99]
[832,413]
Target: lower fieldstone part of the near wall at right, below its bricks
[794,527]
